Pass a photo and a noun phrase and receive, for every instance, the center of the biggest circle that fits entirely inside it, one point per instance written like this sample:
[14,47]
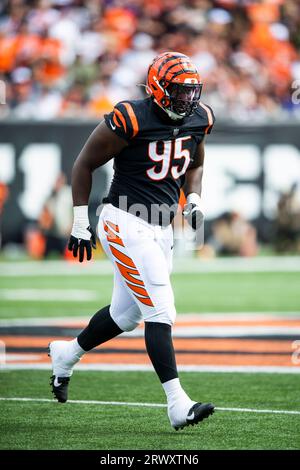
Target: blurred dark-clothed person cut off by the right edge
[287,232]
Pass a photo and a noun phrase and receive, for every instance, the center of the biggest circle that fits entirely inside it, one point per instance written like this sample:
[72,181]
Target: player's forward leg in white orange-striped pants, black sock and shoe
[138,252]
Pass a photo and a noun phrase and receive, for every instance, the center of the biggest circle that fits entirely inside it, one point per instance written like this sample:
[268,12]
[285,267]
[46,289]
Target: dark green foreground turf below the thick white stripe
[86,426]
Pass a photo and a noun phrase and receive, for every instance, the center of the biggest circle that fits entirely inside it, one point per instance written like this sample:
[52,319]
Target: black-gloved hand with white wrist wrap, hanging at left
[82,238]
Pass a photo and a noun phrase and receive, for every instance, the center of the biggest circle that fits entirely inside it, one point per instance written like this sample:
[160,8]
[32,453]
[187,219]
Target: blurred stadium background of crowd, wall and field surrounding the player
[63,64]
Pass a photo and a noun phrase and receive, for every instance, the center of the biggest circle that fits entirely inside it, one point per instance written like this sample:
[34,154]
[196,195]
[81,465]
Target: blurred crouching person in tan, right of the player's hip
[231,235]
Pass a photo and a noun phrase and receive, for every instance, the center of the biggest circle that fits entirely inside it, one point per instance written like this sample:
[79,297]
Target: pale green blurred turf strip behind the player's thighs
[195,292]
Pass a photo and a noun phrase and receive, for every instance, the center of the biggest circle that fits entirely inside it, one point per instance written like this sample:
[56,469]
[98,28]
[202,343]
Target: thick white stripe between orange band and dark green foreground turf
[149,368]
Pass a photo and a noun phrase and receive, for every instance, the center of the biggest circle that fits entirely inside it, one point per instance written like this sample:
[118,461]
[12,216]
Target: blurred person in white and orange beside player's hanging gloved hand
[56,218]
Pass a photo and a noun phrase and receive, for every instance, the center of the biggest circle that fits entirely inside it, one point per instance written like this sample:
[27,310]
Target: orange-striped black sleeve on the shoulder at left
[123,121]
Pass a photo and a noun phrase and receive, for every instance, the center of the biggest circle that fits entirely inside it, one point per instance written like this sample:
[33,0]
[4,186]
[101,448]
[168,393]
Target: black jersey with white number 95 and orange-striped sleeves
[150,171]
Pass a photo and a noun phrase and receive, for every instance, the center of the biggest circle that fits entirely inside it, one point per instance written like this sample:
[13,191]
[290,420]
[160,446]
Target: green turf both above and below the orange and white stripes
[49,425]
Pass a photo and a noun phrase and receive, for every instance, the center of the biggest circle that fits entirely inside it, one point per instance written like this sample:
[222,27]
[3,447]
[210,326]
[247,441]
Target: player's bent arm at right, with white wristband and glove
[192,189]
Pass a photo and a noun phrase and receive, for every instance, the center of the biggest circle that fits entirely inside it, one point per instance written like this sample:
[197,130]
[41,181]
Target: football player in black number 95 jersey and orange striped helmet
[158,147]
